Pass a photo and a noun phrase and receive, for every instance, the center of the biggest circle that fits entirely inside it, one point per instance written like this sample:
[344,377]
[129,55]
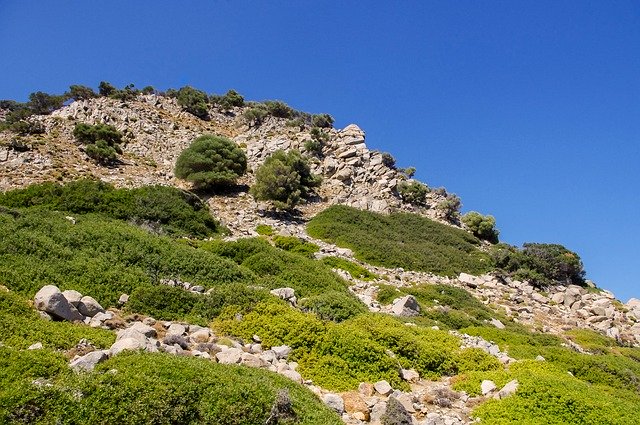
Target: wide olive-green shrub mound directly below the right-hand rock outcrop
[400,240]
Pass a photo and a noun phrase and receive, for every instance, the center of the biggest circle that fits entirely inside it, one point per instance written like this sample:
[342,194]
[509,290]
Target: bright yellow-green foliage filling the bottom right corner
[549,395]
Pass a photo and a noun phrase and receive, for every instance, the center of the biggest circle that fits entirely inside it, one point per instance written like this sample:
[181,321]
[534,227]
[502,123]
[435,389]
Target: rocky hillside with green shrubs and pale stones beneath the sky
[130,296]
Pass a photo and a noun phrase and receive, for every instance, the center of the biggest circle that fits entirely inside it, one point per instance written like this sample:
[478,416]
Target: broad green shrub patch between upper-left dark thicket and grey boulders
[98,256]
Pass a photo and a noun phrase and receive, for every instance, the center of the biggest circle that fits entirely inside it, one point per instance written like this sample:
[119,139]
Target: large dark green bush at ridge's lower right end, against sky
[540,264]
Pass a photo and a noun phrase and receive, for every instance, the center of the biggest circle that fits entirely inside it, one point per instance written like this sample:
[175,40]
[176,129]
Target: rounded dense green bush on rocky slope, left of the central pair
[210,162]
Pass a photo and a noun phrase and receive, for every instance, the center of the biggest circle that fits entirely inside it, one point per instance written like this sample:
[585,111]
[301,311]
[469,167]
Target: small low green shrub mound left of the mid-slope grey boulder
[334,306]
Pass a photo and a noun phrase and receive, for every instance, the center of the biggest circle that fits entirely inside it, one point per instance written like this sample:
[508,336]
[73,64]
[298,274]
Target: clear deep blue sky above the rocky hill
[528,110]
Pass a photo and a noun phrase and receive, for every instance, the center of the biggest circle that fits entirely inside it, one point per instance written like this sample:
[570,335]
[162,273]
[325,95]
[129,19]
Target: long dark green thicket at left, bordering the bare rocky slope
[164,209]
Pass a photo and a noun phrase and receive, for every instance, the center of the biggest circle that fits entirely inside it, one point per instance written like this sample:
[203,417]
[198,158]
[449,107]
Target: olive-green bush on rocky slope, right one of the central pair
[284,179]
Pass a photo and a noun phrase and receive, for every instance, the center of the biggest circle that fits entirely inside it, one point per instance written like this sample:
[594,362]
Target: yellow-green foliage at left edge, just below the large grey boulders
[21,326]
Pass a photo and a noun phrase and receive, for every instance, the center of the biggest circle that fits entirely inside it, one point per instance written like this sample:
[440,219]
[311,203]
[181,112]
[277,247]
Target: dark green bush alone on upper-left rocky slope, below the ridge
[102,142]
